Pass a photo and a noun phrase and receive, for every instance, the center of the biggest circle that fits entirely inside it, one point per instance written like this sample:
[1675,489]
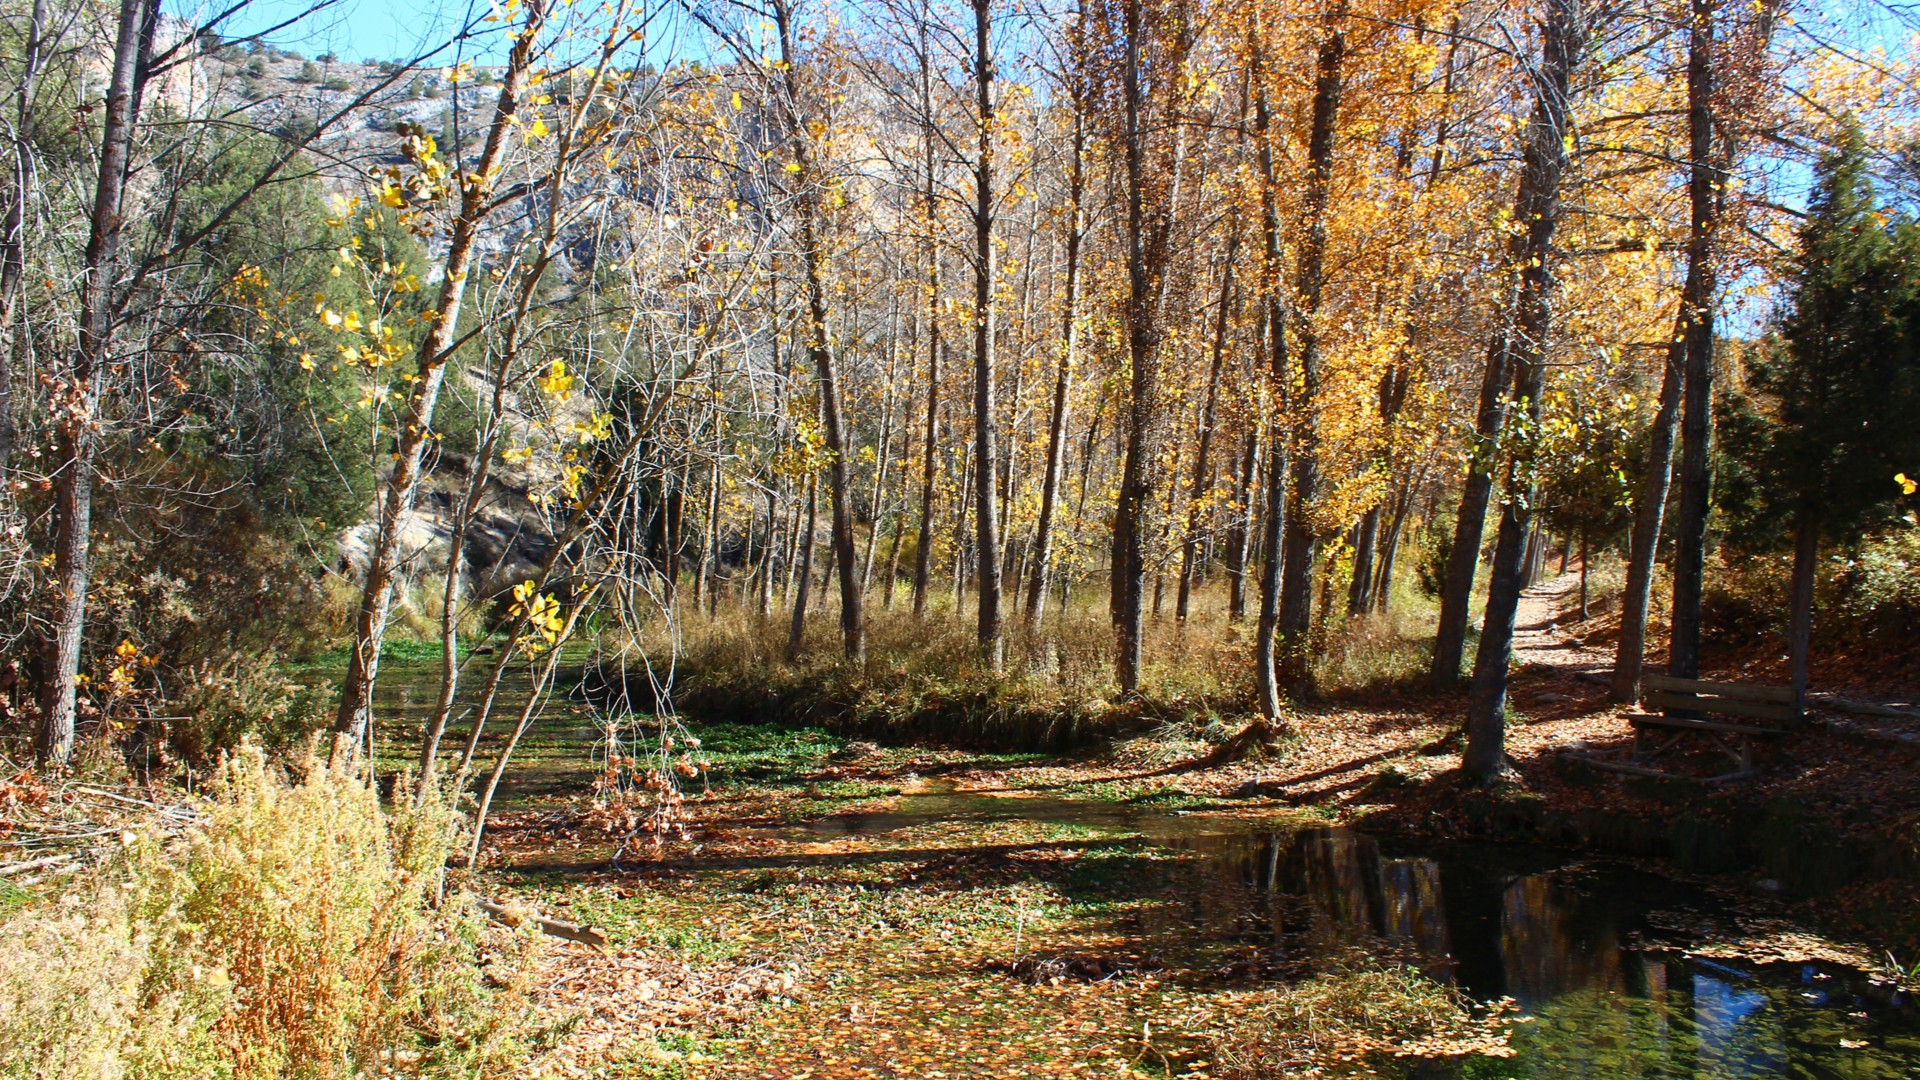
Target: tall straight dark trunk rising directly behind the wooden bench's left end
[1696,420]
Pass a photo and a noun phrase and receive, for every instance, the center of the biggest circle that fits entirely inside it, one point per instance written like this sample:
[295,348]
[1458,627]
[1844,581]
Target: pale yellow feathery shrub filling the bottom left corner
[289,933]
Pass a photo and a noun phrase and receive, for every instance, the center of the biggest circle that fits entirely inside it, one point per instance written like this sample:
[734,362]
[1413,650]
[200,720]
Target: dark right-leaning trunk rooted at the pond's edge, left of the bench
[1539,205]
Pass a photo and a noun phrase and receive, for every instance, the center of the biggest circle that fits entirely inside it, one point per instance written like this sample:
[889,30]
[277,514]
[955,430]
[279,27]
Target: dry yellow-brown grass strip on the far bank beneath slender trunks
[924,677]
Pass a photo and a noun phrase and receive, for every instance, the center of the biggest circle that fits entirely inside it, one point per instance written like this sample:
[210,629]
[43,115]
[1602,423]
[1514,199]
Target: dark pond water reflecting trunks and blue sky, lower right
[1564,943]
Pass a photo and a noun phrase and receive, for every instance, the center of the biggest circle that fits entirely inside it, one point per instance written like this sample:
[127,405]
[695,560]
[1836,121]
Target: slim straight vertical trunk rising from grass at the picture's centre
[986,418]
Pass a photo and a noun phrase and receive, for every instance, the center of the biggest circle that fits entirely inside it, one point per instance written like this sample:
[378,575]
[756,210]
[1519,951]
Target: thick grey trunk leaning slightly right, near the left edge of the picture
[80,395]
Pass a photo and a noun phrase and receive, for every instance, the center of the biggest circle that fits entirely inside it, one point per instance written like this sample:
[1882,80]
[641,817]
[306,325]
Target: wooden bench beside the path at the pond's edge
[1731,714]
